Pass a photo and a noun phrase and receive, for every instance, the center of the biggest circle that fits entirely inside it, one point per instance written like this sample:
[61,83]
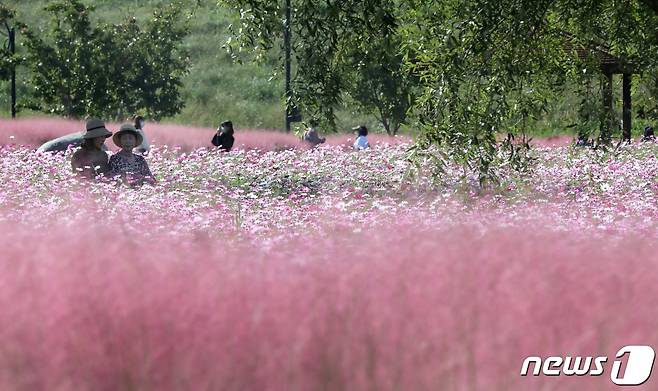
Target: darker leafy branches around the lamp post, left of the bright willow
[340,48]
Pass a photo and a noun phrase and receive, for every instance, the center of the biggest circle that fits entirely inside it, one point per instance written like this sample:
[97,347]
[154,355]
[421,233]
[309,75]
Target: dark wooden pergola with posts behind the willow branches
[610,65]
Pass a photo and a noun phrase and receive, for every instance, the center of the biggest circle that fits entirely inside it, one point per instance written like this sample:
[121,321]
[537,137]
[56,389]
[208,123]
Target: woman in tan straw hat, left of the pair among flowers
[90,160]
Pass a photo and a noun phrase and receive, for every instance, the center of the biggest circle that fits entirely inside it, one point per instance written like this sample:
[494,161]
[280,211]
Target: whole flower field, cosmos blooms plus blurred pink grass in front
[322,270]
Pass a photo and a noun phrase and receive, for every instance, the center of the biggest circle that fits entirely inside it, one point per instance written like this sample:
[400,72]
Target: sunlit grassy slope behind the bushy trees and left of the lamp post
[216,89]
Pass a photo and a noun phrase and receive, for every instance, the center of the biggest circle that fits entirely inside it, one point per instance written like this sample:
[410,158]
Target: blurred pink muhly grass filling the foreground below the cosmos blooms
[395,309]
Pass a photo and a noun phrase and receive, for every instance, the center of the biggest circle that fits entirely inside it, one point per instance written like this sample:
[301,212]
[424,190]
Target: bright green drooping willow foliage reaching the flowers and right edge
[487,66]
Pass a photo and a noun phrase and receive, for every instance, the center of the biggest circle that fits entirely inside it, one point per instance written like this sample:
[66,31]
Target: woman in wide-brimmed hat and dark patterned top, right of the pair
[132,168]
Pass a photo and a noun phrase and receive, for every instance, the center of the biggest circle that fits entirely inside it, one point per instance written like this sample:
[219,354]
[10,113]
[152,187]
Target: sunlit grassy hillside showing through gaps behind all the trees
[251,94]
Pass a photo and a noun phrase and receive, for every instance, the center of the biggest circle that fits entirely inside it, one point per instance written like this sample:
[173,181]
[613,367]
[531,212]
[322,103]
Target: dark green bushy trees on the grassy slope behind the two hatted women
[108,71]
